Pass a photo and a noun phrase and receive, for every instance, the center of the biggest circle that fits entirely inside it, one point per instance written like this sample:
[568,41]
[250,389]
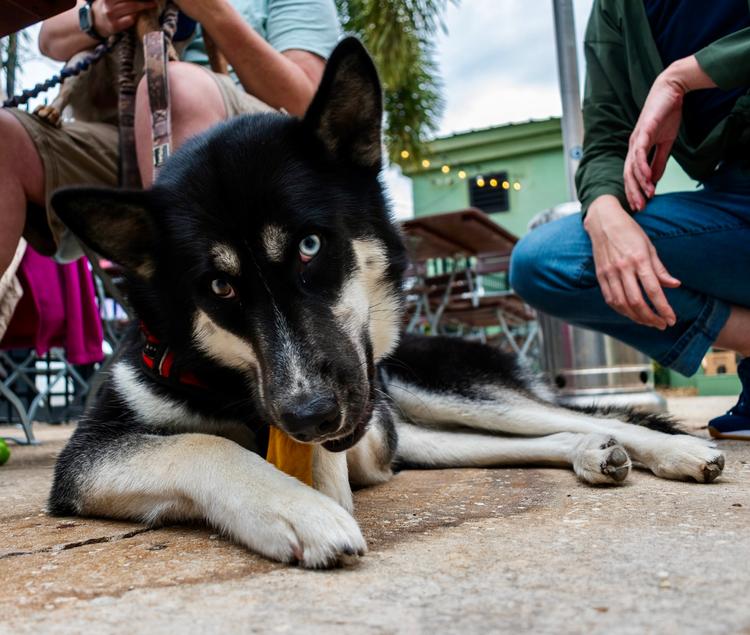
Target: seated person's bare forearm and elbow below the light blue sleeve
[283,80]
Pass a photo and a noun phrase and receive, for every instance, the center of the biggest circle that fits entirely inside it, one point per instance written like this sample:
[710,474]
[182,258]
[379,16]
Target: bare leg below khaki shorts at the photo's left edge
[21,180]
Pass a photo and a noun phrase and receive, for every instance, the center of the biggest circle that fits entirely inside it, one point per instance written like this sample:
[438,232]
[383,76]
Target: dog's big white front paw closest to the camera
[304,527]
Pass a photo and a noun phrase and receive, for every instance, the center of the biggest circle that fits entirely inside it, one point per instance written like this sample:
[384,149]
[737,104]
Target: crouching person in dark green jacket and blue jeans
[665,273]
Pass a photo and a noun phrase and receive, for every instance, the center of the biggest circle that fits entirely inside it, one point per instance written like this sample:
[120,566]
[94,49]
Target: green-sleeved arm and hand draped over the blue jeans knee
[624,258]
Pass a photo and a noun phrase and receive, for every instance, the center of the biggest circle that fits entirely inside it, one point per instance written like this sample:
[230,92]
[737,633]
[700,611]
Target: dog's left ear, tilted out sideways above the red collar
[114,223]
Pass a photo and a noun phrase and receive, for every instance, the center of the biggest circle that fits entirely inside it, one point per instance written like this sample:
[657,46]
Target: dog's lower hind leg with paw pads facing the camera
[595,458]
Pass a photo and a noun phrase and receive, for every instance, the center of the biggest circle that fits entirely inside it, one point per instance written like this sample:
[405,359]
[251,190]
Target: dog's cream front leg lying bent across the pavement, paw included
[196,476]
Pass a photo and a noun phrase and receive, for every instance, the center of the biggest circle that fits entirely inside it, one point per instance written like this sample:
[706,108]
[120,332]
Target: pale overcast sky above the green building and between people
[498,65]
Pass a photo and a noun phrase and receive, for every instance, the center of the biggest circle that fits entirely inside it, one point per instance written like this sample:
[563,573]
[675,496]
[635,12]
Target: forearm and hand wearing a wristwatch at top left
[61,37]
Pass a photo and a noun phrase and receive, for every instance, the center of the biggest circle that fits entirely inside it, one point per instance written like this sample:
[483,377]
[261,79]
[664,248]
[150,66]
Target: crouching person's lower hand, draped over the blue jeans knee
[627,265]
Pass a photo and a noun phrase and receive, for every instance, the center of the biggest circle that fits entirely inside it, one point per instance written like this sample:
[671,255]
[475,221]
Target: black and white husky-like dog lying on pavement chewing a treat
[266,271]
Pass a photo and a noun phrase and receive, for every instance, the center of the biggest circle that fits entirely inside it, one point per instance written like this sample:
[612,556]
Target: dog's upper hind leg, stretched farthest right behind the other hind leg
[510,411]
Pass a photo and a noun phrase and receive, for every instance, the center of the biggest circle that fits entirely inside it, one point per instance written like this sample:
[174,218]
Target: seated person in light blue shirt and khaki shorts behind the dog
[277,49]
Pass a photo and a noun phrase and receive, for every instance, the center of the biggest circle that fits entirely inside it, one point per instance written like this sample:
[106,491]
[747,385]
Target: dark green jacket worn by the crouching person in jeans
[622,62]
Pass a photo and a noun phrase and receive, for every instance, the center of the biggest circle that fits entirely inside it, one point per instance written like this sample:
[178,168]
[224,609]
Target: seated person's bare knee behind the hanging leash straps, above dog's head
[196,105]
